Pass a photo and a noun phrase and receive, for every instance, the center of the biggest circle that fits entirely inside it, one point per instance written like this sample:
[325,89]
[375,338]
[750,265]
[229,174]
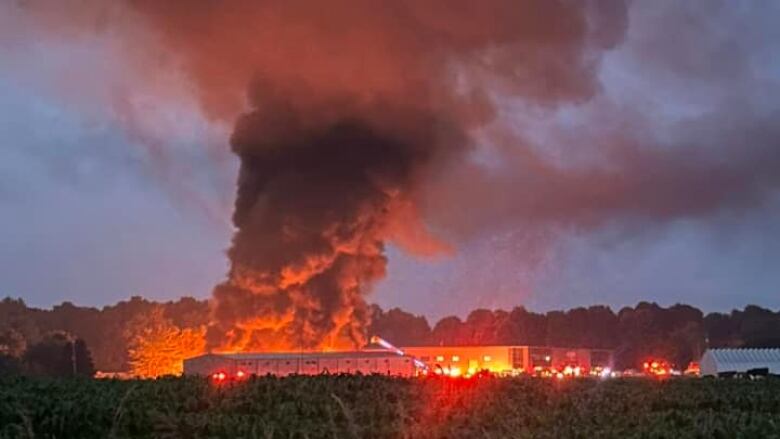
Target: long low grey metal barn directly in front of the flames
[304,363]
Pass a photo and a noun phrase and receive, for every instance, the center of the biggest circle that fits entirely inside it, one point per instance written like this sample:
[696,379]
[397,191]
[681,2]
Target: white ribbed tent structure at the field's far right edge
[715,361]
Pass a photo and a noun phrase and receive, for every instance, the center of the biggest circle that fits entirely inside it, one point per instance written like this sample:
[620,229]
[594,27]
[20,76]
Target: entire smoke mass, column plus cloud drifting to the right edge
[357,123]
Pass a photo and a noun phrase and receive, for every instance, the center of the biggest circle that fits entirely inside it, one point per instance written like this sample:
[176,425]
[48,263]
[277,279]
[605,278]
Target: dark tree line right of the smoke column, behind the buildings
[678,333]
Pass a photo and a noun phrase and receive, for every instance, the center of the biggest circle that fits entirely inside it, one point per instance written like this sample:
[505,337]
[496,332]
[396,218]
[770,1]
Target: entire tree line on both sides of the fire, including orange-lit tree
[147,337]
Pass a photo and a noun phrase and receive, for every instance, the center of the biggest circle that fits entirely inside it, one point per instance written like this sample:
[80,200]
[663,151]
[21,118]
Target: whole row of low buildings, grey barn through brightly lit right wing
[384,358]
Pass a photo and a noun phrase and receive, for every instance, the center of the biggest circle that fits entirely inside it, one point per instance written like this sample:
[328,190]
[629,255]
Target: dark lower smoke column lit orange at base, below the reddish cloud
[318,196]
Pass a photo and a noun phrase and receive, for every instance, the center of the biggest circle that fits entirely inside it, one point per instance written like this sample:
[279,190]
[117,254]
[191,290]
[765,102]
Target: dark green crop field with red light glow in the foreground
[381,407]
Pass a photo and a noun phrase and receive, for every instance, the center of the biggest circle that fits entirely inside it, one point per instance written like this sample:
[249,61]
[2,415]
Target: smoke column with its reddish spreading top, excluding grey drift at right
[353,104]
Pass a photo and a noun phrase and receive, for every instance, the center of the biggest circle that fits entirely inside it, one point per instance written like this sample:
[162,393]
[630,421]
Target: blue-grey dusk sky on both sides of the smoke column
[110,189]
